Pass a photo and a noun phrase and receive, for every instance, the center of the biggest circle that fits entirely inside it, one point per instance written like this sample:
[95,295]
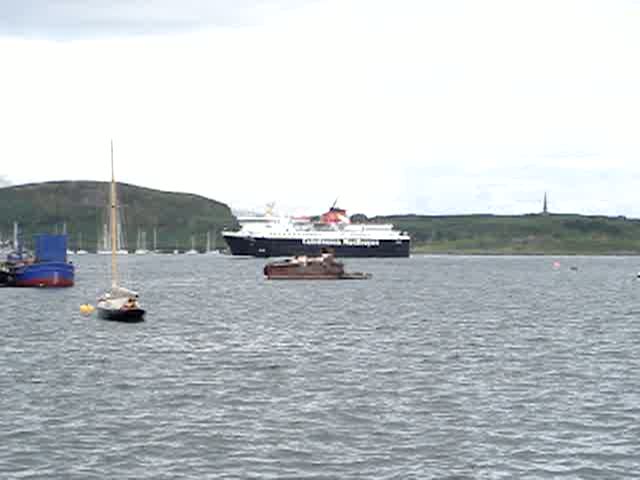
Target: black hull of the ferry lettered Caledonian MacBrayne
[286,247]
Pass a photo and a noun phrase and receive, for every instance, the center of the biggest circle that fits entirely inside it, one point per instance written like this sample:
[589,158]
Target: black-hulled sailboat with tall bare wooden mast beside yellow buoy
[118,303]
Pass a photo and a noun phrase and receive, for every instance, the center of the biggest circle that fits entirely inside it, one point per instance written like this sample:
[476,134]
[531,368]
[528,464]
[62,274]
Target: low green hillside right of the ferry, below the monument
[525,234]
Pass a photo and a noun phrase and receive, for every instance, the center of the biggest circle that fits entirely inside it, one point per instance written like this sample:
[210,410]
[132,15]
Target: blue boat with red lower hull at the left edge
[48,268]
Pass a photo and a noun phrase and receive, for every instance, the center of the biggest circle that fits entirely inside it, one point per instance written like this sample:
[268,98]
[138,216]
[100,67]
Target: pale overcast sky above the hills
[410,106]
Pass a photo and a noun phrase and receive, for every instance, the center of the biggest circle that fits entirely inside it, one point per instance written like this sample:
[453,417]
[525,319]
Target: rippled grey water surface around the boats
[437,367]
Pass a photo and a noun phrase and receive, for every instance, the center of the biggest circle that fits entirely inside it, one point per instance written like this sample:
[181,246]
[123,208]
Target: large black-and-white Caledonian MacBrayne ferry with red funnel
[281,236]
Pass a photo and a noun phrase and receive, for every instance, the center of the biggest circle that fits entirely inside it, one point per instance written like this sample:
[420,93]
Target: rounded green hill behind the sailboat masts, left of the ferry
[82,206]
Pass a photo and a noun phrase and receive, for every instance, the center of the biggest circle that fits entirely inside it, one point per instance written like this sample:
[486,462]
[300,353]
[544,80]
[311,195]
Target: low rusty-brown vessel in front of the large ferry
[302,267]
